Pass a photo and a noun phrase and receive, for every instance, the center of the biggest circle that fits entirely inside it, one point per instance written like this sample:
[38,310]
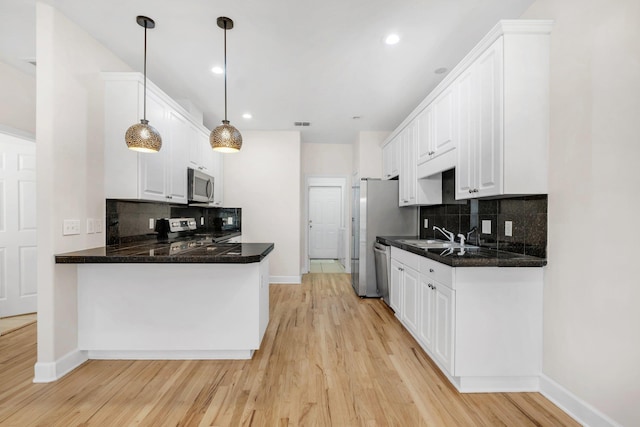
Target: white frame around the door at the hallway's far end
[341,181]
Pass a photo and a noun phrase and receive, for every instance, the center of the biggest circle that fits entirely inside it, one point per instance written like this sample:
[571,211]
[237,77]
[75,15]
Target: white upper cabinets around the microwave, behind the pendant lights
[158,176]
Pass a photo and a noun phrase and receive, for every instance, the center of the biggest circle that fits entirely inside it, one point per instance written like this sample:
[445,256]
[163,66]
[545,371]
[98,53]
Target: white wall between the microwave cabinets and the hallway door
[264,180]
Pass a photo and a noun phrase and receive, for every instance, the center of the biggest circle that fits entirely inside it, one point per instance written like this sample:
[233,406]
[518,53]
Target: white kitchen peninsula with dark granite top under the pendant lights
[187,299]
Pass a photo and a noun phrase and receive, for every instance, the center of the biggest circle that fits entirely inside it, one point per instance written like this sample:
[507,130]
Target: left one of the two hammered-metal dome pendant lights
[142,136]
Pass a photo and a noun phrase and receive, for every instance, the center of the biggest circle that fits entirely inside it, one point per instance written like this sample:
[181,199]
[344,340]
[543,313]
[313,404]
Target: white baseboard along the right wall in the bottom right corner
[575,407]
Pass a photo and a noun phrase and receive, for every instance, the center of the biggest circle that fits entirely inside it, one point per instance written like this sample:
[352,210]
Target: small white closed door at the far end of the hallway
[325,210]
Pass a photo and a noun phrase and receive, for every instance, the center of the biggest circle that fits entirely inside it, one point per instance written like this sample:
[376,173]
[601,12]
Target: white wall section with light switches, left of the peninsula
[69,173]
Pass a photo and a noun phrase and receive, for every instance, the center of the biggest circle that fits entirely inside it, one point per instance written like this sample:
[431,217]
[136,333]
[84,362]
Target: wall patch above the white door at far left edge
[18,100]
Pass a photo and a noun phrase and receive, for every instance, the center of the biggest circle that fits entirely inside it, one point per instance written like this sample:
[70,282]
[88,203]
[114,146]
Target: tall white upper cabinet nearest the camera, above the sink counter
[503,114]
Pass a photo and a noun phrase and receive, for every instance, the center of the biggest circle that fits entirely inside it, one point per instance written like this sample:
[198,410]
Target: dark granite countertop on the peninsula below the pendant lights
[189,250]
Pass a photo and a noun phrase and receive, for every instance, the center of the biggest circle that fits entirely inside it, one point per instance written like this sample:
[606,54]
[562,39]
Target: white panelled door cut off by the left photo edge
[18,281]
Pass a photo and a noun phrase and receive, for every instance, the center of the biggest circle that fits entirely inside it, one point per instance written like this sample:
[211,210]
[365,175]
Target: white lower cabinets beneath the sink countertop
[481,325]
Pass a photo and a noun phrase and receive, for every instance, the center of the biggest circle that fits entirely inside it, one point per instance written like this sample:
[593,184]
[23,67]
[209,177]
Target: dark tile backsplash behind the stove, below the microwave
[128,220]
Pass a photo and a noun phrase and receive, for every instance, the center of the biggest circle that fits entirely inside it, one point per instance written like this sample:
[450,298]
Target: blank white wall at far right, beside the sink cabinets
[592,289]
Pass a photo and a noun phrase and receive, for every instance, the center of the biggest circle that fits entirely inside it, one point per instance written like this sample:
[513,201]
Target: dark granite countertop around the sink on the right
[470,257]
